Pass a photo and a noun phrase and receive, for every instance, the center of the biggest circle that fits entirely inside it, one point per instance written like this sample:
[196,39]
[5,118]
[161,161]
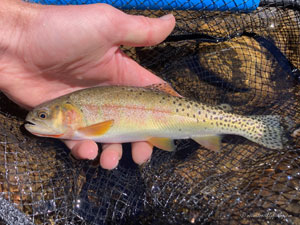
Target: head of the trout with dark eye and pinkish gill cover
[57,120]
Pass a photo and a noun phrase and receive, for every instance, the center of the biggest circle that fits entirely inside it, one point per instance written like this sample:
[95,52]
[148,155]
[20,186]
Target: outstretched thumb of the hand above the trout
[143,31]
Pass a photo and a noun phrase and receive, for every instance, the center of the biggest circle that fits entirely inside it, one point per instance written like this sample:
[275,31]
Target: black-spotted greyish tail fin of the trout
[269,132]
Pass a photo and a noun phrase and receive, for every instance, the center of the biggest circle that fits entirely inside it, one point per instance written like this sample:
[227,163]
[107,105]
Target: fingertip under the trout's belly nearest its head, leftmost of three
[86,149]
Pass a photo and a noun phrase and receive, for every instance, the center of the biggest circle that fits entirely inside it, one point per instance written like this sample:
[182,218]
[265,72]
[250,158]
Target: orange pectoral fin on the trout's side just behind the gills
[96,129]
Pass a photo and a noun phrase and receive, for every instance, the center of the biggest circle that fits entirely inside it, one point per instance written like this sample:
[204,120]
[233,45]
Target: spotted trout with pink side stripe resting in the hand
[156,114]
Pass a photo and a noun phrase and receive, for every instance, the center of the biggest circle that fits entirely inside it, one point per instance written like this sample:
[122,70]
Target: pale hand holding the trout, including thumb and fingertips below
[49,51]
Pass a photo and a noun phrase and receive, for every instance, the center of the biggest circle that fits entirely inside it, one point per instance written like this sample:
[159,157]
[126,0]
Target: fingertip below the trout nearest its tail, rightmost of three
[141,152]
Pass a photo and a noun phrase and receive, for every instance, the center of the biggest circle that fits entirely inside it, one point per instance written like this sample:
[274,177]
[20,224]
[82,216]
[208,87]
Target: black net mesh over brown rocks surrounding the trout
[248,60]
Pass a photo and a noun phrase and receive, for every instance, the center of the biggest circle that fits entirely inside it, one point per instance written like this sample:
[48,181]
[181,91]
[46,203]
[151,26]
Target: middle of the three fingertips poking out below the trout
[110,156]
